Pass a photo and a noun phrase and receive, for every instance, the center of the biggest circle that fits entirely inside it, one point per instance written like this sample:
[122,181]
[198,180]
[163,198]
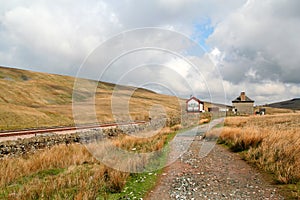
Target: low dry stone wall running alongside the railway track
[30,145]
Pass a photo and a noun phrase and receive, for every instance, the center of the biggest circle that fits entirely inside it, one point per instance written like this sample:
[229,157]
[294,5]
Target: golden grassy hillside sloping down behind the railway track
[31,99]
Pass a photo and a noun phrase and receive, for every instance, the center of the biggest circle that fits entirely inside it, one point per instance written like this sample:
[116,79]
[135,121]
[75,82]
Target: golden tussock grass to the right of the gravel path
[272,142]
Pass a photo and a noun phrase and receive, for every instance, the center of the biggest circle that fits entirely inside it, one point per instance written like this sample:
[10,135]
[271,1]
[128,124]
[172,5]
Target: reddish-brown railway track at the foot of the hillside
[60,129]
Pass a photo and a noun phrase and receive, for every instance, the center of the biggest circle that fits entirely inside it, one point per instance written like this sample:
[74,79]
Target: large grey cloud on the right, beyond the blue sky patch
[260,42]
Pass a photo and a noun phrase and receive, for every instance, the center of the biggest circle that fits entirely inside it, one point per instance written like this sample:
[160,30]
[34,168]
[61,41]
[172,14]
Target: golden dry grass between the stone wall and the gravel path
[70,171]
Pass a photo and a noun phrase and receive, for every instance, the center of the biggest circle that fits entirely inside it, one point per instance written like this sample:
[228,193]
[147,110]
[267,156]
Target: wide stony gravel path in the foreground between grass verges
[219,175]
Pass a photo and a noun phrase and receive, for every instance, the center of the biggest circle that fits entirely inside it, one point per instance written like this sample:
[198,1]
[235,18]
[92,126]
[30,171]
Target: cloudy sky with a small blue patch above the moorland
[207,48]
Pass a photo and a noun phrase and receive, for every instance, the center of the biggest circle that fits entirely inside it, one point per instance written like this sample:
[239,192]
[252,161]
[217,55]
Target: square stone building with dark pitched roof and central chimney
[243,105]
